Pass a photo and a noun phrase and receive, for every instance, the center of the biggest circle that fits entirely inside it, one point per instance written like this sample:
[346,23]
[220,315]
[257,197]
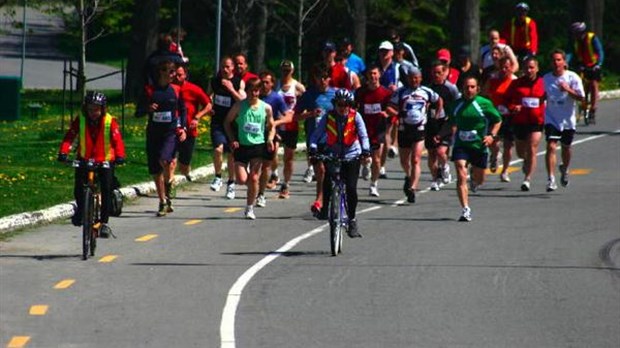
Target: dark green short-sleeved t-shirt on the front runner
[472,119]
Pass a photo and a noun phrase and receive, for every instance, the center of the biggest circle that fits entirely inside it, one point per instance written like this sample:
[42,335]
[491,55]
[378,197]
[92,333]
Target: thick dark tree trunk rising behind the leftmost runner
[143,42]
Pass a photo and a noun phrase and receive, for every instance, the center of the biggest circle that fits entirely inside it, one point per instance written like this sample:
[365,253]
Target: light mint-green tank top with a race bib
[251,123]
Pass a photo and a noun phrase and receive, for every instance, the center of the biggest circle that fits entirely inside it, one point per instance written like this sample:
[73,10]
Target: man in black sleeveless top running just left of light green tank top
[227,88]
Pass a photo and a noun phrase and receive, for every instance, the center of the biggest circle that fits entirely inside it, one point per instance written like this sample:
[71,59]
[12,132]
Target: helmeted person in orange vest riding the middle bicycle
[346,138]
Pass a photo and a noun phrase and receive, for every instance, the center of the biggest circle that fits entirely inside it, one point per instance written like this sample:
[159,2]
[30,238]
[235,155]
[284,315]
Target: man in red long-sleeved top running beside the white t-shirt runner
[525,99]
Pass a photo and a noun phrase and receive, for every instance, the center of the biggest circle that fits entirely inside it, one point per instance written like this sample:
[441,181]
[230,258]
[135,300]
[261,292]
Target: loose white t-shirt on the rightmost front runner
[561,108]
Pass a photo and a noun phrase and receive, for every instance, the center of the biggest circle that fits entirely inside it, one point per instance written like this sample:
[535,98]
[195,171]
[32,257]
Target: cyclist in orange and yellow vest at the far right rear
[587,49]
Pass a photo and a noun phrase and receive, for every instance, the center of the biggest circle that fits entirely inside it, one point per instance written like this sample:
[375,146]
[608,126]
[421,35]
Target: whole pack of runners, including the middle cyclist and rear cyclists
[368,113]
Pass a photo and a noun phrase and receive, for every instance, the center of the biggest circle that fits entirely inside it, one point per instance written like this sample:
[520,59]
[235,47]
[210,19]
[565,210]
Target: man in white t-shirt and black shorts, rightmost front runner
[563,88]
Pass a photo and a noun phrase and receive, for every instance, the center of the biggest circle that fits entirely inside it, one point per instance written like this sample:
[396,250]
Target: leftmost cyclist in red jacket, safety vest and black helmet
[99,140]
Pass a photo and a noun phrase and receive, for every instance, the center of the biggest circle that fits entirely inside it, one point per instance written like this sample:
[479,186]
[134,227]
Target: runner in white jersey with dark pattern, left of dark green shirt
[411,103]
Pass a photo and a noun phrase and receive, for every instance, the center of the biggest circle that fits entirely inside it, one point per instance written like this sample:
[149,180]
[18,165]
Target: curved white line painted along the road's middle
[227,326]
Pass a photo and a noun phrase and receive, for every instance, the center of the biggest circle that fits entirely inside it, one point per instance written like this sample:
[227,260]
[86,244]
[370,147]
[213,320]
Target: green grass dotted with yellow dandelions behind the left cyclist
[30,177]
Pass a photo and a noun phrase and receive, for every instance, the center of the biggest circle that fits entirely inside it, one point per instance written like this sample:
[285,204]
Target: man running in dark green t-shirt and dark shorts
[475,123]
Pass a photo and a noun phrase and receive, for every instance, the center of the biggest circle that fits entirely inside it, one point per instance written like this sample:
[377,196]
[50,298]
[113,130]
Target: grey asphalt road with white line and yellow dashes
[533,269]
